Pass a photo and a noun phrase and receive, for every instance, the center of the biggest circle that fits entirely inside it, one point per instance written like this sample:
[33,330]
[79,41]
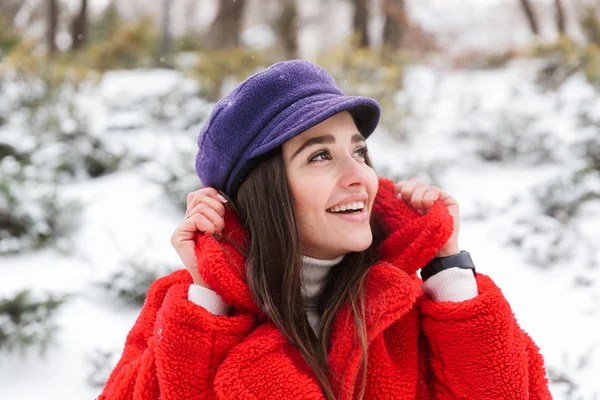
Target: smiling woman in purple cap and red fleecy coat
[303,285]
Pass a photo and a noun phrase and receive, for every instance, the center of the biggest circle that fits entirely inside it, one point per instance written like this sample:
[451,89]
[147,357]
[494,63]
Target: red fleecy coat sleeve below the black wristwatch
[478,351]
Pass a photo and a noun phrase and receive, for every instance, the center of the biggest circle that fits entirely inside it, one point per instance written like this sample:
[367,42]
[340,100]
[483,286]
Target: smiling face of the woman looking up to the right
[327,173]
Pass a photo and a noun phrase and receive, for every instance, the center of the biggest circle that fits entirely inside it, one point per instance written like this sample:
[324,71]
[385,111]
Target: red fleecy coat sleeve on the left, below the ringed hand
[175,346]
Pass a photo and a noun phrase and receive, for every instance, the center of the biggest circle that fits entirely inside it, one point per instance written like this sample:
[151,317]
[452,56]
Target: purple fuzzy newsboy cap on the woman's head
[266,110]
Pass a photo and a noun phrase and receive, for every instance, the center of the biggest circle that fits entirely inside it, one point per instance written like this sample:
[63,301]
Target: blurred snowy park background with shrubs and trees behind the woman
[496,101]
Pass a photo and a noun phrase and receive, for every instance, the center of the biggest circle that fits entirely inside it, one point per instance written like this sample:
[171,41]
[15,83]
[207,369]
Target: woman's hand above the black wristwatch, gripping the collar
[421,197]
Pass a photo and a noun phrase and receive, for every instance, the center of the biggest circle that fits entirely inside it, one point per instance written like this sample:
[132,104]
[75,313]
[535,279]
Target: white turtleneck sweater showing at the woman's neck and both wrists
[453,284]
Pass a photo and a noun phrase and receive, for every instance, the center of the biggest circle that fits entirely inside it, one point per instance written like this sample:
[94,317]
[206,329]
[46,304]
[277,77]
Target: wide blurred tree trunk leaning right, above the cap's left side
[225,29]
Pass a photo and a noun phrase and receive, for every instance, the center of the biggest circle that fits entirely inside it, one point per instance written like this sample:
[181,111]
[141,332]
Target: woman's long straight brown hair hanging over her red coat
[265,206]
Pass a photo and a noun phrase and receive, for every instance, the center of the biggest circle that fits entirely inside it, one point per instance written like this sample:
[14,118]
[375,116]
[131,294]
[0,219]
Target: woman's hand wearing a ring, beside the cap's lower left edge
[205,213]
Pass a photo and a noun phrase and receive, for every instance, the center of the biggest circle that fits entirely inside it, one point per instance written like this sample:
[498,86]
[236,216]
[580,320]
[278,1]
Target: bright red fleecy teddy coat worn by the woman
[418,348]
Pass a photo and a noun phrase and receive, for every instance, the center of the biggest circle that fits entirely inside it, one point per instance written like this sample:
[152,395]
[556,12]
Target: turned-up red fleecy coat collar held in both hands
[412,239]
